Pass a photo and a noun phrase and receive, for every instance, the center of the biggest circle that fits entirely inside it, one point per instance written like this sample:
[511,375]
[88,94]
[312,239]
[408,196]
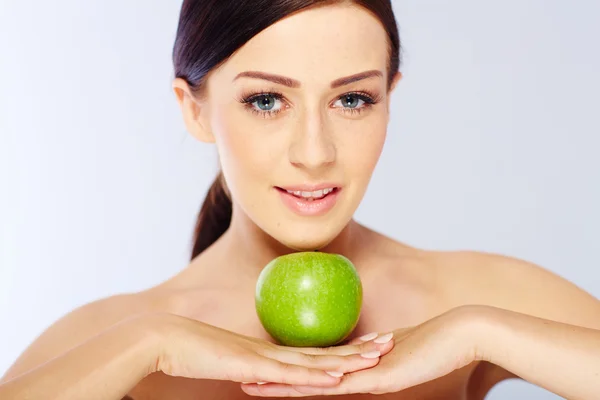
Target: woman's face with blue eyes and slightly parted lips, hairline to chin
[299,117]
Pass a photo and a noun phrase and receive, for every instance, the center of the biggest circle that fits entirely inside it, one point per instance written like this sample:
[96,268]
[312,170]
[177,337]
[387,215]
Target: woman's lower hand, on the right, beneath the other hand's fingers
[420,354]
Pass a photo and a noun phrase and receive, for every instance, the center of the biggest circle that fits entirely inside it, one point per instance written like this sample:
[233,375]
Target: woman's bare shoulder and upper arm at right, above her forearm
[469,277]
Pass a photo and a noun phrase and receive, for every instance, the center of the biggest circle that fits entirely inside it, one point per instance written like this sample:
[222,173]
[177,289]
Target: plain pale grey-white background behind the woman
[492,146]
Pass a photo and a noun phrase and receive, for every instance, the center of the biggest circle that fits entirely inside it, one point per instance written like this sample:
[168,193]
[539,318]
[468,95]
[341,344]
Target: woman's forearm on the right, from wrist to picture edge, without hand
[562,358]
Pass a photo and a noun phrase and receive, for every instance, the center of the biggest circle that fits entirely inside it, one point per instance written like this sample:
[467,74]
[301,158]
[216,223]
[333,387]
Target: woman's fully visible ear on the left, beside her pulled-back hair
[194,113]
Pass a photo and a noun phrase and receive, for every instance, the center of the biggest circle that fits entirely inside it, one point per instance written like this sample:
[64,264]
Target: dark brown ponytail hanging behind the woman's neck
[214,217]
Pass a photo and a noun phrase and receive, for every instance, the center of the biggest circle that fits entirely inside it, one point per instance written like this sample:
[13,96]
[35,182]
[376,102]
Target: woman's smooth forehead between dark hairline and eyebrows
[317,45]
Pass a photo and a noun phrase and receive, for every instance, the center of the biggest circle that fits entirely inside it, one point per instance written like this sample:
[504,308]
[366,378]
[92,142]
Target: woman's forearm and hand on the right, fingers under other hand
[562,358]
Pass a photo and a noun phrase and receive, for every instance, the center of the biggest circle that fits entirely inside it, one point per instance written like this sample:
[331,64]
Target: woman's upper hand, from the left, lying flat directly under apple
[192,349]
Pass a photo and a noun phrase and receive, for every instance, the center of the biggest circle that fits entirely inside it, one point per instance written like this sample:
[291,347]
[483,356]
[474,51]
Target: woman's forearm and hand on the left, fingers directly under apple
[110,364]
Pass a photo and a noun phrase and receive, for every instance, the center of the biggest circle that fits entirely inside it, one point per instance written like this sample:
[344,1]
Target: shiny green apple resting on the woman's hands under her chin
[309,299]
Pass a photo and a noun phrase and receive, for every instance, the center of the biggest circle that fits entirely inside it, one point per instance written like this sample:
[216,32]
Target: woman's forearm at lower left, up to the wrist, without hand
[104,367]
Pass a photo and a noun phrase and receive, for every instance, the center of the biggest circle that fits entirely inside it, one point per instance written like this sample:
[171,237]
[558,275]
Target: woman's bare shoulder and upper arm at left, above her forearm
[78,326]
